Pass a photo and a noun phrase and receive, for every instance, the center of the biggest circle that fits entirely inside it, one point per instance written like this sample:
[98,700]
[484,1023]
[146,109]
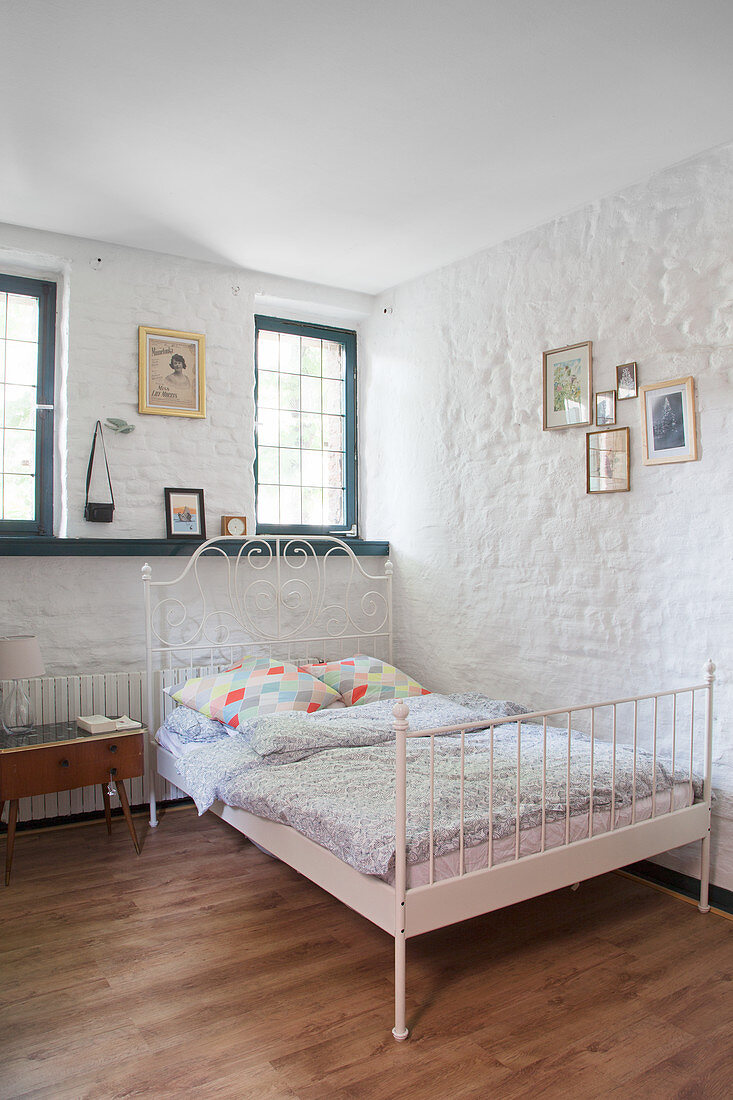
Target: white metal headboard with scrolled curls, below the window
[285,597]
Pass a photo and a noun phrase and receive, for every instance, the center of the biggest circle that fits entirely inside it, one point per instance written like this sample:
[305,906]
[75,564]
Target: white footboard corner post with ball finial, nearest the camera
[400,711]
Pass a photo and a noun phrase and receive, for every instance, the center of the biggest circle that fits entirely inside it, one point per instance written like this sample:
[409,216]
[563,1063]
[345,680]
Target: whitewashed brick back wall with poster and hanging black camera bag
[89,611]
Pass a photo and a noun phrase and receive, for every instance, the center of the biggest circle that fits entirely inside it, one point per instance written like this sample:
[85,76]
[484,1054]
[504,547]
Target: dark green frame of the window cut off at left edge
[46,292]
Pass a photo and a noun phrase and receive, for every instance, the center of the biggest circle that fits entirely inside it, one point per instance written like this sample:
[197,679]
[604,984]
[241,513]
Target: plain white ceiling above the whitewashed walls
[355,144]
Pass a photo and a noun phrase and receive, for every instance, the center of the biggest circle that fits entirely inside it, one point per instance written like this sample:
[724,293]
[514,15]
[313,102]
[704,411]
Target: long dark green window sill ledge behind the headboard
[39,546]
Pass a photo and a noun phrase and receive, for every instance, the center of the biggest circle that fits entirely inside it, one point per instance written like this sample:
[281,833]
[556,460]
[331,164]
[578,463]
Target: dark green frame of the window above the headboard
[348,342]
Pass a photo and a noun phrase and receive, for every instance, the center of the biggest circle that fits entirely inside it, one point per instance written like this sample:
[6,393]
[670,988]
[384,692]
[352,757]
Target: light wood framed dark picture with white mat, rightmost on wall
[669,422]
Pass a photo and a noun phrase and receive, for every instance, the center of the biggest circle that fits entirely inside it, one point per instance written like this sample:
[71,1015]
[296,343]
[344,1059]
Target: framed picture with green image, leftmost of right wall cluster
[568,387]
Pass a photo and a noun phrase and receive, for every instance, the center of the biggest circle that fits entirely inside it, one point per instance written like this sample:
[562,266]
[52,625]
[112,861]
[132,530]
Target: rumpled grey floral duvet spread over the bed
[332,777]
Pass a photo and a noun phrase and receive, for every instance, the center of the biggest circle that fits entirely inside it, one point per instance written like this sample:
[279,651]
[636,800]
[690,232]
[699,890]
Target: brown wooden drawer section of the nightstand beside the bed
[63,767]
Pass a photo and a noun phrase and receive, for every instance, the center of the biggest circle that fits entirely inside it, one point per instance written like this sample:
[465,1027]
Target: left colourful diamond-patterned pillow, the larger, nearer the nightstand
[254,688]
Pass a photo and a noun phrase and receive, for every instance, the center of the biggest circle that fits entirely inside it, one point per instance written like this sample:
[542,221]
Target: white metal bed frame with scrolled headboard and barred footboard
[267,581]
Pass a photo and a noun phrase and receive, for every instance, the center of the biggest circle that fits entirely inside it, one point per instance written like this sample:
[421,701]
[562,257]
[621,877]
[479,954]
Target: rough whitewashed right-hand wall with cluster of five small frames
[508,576]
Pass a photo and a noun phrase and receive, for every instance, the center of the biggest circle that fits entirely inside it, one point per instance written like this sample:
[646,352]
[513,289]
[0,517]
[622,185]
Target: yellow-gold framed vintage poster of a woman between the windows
[172,372]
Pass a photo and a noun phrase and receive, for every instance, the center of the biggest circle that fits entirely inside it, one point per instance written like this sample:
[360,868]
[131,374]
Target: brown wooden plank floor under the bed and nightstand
[204,969]
